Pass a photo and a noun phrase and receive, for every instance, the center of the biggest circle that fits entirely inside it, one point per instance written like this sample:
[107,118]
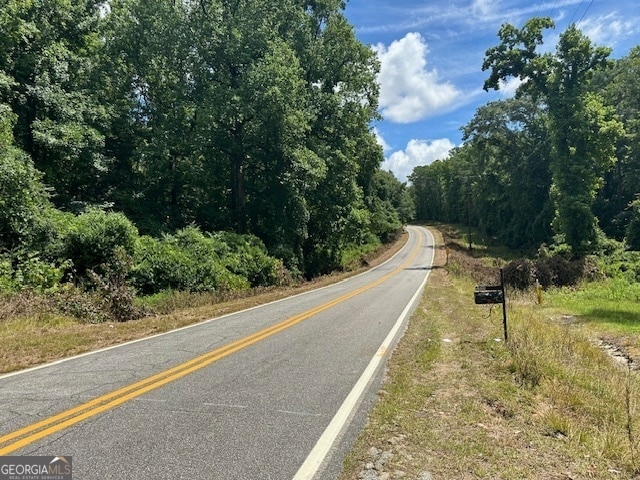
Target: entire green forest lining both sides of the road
[215,145]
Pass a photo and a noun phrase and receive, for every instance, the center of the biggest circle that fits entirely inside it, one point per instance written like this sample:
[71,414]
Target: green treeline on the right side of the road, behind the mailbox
[559,164]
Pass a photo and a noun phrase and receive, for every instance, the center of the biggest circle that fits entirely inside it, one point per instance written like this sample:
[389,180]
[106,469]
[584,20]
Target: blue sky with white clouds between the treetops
[431,52]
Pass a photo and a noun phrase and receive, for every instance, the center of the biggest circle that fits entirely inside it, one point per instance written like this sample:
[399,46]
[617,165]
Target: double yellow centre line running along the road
[56,423]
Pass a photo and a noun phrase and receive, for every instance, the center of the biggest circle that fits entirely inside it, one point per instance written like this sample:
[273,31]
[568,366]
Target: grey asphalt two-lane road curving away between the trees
[275,392]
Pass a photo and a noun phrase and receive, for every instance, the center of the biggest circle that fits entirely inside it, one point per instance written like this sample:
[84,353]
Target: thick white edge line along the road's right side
[326,441]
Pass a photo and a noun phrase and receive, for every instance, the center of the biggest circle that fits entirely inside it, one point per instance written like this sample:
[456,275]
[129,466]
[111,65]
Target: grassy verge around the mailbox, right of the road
[459,403]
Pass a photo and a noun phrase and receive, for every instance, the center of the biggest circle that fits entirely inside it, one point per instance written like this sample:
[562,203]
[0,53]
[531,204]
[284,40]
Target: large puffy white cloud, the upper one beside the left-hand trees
[408,91]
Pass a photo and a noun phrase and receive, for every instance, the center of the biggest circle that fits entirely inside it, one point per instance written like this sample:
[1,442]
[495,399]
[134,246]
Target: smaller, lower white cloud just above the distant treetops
[417,153]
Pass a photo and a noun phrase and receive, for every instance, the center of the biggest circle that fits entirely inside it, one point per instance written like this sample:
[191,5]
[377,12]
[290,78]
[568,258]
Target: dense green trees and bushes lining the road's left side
[169,121]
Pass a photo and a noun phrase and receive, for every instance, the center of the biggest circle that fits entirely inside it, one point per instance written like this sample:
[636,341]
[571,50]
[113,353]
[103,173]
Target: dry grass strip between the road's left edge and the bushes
[31,334]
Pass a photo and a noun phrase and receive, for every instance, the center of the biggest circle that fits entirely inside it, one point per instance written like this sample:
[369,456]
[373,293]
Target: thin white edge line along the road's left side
[194,325]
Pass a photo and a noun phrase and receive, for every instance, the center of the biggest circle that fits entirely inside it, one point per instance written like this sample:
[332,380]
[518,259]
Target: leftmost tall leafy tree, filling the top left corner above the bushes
[48,50]
